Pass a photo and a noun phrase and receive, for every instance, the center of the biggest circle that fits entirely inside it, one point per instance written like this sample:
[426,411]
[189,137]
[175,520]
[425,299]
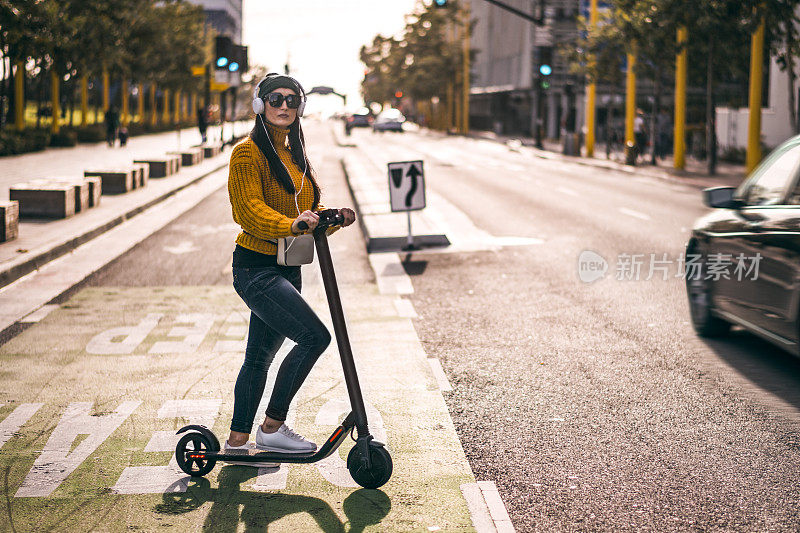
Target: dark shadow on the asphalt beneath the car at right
[763,364]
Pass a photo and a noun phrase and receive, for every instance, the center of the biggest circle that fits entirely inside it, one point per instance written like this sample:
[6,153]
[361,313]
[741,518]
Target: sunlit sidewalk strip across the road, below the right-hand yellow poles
[695,173]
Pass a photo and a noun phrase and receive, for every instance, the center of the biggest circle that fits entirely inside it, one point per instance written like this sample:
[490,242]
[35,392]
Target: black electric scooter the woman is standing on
[369,462]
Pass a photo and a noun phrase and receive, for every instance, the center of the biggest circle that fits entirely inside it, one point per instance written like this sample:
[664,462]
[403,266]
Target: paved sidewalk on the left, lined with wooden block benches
[42,240]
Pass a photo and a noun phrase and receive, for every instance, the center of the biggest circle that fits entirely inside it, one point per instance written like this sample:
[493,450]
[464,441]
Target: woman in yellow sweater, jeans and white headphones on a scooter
[272,189]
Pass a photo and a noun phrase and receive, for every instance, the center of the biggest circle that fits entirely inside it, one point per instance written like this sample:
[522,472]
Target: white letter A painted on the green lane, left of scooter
[56,461]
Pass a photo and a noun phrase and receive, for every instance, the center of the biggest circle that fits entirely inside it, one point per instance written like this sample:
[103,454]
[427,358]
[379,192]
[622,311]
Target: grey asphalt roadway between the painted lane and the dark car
[595,406]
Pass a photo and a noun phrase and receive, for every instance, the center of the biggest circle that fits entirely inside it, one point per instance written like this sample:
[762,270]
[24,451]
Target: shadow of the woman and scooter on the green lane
[257,510]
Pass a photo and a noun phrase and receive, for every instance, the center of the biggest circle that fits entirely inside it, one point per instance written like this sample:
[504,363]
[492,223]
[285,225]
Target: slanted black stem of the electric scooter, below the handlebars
[340,328]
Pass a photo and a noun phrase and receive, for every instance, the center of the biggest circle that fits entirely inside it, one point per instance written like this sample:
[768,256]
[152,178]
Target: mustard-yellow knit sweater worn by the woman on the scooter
[261,206]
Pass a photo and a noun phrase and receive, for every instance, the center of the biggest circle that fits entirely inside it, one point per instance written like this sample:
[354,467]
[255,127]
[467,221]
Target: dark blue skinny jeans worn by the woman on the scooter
[277,312]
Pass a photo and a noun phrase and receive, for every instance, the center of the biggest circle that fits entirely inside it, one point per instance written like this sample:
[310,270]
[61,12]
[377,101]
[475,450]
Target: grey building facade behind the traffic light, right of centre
[507,93]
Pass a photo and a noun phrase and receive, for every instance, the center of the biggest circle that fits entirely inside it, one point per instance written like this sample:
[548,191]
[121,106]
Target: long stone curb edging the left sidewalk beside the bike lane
[14,272]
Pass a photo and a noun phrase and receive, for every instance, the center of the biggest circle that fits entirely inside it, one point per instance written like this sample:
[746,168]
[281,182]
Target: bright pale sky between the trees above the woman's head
[321,38]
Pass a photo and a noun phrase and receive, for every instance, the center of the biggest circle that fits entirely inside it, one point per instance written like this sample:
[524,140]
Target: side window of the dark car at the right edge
[769,184]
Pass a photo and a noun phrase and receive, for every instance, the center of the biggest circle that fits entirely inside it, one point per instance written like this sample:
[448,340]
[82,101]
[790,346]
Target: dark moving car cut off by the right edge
[755,230]
